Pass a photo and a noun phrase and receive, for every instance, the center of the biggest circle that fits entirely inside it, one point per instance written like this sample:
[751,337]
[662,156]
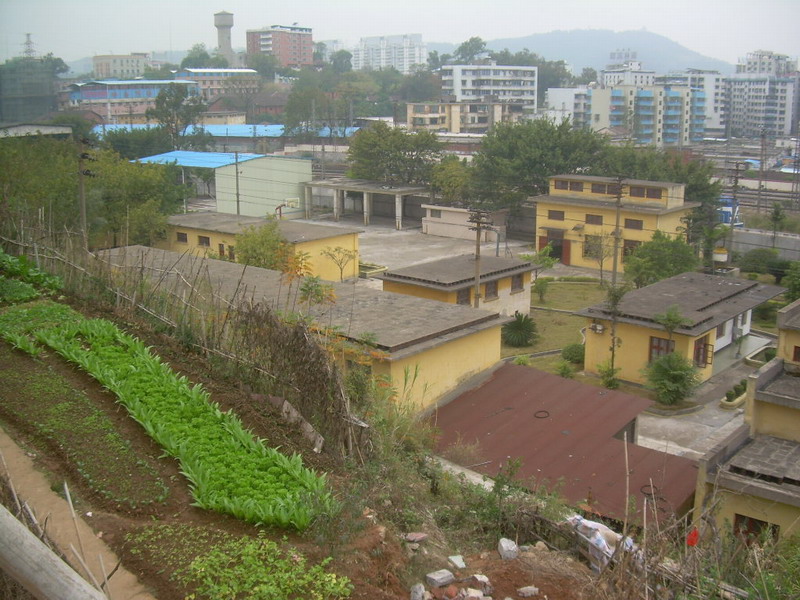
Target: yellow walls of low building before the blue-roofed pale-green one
[321,266]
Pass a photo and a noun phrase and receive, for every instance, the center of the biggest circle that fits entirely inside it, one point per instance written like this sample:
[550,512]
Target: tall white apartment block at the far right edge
[763,96]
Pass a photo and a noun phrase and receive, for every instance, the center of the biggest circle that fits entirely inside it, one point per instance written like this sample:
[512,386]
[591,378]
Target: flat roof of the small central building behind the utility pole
[457,271]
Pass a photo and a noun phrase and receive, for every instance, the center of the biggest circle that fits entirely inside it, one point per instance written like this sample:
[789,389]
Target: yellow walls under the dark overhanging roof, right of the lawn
[634,350]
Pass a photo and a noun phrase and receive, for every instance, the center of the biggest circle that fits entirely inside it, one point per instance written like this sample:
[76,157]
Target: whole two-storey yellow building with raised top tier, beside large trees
[579,214]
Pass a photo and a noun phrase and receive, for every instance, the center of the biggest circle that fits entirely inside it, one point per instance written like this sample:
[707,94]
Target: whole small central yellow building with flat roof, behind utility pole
[504,282]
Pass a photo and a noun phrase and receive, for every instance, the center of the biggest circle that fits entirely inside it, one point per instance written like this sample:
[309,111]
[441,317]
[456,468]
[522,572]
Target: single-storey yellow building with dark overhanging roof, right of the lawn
[717,310]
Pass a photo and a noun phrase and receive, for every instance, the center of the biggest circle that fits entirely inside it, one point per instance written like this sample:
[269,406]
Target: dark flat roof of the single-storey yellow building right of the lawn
[705,300]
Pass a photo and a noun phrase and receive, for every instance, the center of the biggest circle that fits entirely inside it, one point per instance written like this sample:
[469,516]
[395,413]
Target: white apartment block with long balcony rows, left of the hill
[470,83]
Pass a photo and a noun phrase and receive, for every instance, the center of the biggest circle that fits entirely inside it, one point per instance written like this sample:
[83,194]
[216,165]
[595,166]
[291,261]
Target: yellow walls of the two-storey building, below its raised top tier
[576,216]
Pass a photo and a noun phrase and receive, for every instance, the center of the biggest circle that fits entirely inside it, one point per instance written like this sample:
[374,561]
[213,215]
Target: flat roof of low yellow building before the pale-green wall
[294,231]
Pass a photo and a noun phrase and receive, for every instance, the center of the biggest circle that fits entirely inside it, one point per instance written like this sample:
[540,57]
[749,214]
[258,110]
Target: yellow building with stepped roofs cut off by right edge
[752,478]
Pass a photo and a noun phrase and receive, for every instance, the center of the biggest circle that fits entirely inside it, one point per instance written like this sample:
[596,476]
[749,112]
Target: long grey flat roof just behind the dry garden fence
[402,325]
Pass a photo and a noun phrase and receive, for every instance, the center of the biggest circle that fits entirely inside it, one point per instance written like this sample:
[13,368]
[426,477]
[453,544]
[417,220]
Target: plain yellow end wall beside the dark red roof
[442,368]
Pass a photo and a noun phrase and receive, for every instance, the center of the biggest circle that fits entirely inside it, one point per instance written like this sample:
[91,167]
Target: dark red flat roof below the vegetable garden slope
[562,431]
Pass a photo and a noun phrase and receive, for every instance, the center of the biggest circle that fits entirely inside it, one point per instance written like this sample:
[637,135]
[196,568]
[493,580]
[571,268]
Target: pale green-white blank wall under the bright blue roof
[264,184]
